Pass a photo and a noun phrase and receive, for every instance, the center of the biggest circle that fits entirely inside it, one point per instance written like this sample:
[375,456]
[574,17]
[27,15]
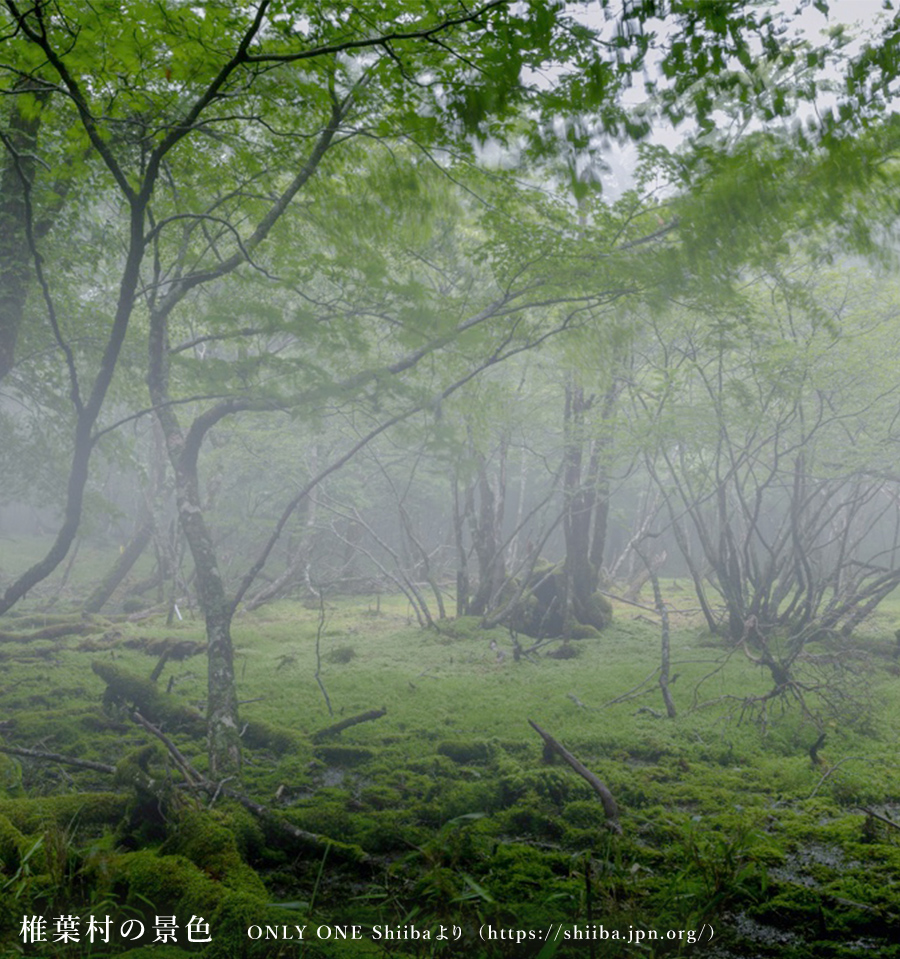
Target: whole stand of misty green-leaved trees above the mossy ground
[214,220]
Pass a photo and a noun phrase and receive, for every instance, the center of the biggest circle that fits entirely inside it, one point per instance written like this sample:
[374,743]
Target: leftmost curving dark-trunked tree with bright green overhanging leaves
[185,120]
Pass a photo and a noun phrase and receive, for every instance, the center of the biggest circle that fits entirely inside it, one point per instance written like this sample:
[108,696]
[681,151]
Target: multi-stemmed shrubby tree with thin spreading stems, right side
[770,459]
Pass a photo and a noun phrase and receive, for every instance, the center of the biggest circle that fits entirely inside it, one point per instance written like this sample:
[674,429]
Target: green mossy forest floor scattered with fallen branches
[442,811]
